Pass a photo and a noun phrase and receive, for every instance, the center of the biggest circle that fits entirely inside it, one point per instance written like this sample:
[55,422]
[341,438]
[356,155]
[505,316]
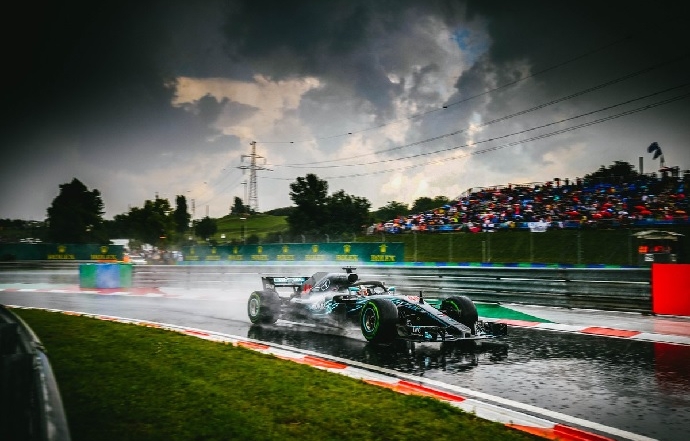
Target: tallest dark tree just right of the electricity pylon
[309,194]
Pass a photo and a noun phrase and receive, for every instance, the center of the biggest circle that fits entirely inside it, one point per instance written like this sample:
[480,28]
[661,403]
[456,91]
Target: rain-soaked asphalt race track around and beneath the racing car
[636,386]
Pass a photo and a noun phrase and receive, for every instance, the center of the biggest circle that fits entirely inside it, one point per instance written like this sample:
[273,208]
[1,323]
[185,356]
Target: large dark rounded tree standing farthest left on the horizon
[76,215]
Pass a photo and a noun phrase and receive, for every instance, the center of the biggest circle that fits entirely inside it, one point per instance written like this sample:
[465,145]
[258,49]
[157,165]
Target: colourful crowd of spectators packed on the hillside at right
[558,204]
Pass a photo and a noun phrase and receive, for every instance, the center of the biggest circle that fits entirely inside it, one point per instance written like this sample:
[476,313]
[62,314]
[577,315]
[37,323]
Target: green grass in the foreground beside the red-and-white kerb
[128,382]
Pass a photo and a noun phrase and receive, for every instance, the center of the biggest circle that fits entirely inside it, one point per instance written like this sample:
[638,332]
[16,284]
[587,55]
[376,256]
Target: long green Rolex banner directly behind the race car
[386,252]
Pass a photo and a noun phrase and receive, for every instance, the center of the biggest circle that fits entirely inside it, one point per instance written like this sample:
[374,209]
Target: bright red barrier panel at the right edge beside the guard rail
[671,288]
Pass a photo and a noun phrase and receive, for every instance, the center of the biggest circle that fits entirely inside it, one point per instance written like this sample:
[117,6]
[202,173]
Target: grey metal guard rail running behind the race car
[619,289]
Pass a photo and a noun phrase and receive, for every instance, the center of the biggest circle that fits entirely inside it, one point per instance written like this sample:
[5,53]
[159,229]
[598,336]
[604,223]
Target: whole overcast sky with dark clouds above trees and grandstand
[388,100]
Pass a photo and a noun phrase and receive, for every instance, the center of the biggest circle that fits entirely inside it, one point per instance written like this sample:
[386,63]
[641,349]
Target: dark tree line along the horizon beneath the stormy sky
[76,214]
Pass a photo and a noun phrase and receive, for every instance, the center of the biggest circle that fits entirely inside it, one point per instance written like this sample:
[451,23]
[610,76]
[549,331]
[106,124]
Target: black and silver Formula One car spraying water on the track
[383,315]
